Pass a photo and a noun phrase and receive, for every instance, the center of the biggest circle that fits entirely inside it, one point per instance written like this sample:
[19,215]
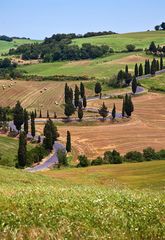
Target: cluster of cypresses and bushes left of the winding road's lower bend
[21,121]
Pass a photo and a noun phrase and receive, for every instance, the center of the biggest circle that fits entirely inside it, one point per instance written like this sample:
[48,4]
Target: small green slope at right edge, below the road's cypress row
[155,83]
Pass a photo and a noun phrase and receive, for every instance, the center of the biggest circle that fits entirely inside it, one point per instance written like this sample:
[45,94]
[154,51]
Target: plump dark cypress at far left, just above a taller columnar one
[18,116]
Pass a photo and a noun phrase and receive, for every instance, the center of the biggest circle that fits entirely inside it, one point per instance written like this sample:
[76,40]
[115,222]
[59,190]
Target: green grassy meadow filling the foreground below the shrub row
[34,206]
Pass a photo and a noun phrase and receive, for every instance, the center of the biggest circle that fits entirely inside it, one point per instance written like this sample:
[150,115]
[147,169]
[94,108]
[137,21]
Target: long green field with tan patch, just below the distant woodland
[101,67]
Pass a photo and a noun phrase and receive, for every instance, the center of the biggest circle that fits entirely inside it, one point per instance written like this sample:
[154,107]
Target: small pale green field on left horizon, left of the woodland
[6,46]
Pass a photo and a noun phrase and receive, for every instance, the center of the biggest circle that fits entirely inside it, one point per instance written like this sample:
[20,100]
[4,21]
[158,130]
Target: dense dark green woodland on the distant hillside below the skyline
[59,47]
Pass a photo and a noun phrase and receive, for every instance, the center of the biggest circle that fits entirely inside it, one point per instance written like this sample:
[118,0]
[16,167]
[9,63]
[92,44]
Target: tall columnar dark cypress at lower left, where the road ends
[22,150]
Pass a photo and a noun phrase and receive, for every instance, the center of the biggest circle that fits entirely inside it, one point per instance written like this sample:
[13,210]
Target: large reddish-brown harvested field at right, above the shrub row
[146,128]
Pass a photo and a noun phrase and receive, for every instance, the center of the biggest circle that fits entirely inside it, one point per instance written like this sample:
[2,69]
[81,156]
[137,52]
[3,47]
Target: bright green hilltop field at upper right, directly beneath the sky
[119,41]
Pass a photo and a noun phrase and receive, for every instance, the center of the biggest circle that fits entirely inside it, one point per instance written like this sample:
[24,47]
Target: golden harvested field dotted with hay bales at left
[45,95]
